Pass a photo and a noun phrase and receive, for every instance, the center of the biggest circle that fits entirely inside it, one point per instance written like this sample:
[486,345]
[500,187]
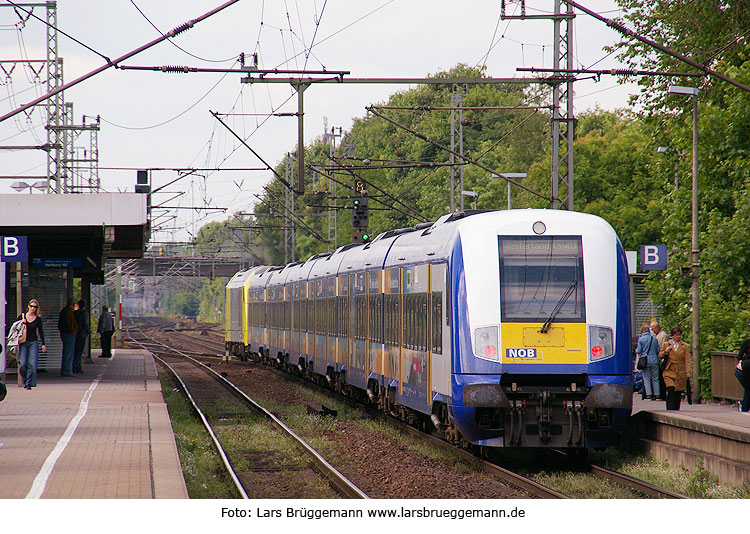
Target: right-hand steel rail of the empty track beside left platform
[340,482]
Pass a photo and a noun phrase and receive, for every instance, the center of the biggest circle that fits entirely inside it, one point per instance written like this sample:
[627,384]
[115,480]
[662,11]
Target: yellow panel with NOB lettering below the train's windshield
[564,343]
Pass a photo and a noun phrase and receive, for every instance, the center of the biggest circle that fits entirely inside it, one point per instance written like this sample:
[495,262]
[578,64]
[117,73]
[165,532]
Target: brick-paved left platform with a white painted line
[105,434]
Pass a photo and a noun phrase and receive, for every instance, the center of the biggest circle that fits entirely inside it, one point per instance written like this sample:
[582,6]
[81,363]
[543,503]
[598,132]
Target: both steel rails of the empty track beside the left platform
[164,353]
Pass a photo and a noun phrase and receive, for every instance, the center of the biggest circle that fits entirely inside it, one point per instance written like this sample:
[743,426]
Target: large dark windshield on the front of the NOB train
[540,278]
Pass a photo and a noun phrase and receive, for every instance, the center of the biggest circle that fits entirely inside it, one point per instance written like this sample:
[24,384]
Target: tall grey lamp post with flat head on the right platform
[695,251]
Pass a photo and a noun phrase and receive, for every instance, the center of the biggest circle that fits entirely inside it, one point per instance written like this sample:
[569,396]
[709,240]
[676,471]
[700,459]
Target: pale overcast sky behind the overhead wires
[156,120]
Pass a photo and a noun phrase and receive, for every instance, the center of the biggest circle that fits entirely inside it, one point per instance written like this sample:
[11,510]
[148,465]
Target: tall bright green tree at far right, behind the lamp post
[711,33]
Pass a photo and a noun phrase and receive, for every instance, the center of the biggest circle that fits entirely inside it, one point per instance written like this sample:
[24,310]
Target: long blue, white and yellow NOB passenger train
[499,329]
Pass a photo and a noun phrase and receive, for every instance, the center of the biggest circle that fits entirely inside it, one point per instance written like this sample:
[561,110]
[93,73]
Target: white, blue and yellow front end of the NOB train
[545,357]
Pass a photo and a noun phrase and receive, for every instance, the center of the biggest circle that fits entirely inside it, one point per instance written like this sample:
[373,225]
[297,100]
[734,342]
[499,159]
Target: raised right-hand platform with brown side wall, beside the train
[712,435]
